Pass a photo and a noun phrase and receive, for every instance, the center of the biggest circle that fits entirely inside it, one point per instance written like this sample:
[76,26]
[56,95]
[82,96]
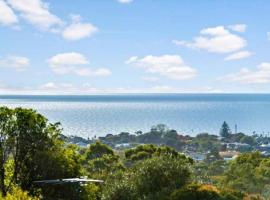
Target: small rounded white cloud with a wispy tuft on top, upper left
[78,30]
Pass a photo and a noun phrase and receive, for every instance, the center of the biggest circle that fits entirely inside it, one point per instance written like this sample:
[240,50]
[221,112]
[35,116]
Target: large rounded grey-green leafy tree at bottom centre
[154,178]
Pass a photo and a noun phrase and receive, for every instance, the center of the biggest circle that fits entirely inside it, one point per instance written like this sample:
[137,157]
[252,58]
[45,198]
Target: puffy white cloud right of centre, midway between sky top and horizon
[171,66]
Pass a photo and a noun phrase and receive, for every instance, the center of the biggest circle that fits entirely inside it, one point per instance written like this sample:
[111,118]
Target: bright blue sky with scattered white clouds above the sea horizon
[134,46]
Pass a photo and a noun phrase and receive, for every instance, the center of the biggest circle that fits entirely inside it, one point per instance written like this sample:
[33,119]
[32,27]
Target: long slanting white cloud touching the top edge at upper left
[37,13]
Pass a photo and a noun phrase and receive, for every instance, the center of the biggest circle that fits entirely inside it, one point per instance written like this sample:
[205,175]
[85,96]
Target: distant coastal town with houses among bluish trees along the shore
[228,145]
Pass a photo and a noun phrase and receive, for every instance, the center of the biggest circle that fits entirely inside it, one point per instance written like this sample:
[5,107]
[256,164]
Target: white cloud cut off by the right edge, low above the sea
[246,76]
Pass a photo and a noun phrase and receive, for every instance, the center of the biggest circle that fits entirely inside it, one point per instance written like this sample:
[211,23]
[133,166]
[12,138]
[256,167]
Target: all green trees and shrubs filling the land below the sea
[33,149]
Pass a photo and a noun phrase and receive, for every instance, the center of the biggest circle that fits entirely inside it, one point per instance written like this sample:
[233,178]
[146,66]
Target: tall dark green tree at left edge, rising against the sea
[24,133]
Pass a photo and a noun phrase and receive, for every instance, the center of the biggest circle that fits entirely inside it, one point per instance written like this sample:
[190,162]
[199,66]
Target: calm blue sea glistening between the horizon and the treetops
[187,113]
